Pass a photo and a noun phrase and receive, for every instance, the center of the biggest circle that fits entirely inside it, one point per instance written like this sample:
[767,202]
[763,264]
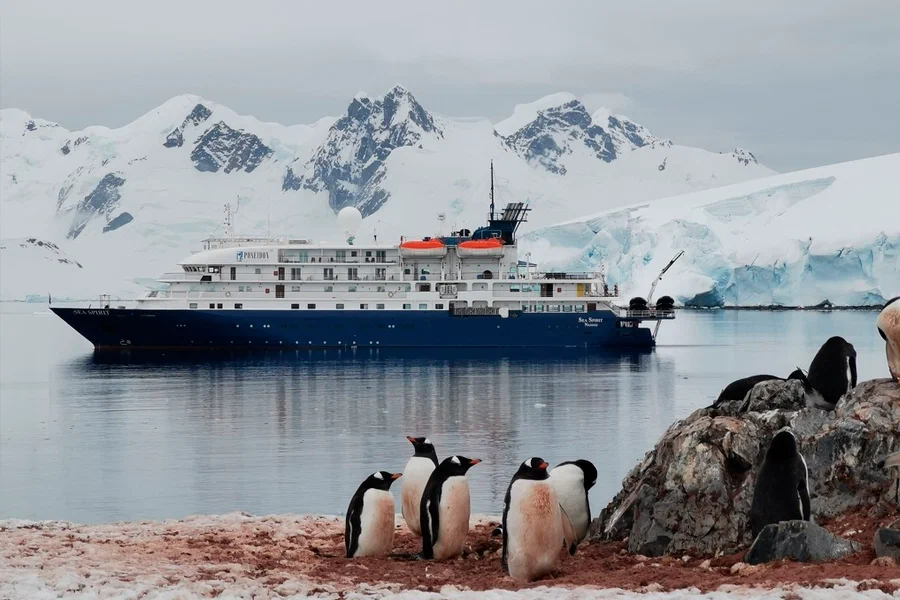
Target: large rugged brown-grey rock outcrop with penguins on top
[692,492]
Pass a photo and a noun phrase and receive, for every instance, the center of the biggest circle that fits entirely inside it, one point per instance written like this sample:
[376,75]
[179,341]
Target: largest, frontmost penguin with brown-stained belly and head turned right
[535,526]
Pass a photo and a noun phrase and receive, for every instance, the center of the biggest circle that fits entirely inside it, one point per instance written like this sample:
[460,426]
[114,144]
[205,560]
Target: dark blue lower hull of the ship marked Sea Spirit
[121,329]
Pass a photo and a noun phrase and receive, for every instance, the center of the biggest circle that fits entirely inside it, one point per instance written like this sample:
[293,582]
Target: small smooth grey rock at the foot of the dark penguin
[798,540]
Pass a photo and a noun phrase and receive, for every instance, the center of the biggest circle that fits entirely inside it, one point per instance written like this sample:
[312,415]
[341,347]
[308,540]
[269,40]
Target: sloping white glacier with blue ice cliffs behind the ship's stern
[797,239]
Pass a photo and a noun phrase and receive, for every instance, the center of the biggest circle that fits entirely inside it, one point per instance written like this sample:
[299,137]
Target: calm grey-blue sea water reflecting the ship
[94,439]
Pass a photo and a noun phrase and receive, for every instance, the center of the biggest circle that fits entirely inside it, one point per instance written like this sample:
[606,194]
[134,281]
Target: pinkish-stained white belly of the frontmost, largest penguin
[534,530]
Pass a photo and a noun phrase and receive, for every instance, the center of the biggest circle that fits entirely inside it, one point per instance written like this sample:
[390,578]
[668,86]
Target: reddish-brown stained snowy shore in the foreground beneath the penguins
[290,556]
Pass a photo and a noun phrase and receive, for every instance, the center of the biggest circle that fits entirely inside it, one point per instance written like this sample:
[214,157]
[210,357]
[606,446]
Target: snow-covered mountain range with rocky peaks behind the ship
[128,203]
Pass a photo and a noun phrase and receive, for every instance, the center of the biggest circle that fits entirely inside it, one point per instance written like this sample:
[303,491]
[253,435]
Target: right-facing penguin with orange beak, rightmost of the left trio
[445,509]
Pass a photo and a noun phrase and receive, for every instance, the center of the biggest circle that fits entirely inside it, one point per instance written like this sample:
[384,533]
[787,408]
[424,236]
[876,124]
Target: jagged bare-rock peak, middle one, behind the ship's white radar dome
[349,165]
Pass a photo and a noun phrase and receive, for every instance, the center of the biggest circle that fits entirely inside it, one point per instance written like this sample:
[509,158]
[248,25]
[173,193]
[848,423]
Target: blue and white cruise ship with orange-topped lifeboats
[468,289]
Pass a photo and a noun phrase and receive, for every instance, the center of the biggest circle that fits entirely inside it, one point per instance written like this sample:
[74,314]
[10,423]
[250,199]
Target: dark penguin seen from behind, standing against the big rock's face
[782,489]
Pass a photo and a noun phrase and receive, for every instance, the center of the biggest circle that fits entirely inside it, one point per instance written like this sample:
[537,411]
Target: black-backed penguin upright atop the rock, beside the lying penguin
[832,373]
